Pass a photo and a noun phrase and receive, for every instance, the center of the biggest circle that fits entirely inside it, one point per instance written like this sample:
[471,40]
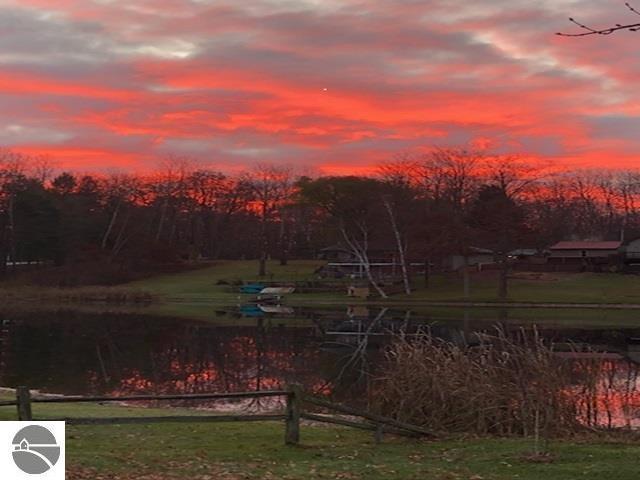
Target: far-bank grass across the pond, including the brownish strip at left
[213,284]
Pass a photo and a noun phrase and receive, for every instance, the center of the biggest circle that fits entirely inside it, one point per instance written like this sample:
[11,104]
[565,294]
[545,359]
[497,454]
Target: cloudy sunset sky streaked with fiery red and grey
[333,85]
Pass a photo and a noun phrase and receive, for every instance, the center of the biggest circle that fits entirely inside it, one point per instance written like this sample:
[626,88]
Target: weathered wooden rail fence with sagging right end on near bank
[295,398]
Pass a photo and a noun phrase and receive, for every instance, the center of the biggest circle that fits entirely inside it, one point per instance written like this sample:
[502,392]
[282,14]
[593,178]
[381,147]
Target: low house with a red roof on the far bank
[585,252]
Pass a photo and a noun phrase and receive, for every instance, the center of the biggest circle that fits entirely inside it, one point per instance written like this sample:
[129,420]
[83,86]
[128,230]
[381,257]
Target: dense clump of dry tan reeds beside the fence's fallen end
[505,386]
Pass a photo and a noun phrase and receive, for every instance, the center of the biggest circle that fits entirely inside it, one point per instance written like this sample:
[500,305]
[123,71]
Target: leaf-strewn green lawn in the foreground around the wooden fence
[256,451]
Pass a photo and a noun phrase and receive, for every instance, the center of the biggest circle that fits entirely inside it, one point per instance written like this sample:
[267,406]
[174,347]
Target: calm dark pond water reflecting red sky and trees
[247,349]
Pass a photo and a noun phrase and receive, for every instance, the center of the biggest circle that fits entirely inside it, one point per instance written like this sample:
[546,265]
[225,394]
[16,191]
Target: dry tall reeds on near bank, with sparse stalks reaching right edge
[507,385]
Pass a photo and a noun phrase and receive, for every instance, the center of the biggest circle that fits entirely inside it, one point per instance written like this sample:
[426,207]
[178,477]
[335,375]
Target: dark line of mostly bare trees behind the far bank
[423,206]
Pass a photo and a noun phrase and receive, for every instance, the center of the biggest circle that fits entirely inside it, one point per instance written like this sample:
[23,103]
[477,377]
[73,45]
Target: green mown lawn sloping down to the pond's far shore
[203,285]
